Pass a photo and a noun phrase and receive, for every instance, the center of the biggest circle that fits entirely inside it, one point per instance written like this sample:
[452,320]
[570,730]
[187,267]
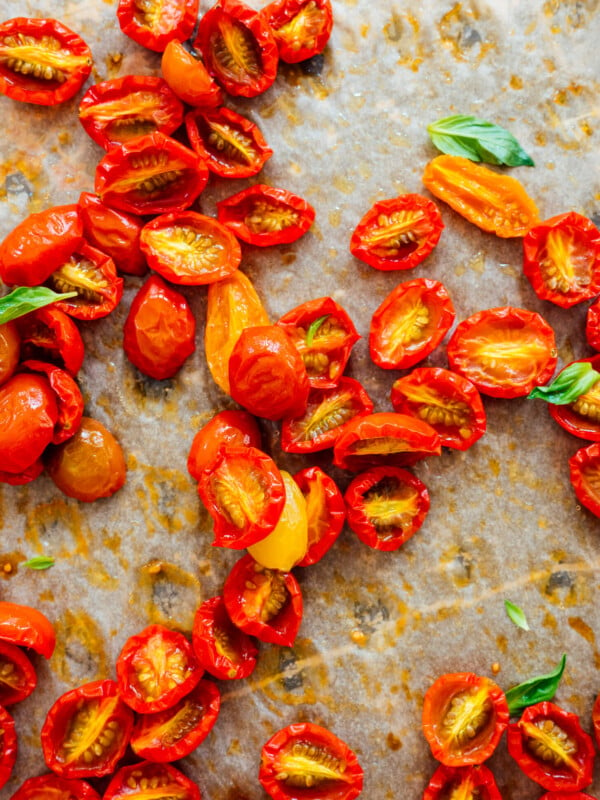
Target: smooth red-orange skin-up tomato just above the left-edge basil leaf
[40,244]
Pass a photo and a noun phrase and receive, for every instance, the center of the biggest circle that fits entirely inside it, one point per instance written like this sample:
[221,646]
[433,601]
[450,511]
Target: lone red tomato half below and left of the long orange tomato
[397,233]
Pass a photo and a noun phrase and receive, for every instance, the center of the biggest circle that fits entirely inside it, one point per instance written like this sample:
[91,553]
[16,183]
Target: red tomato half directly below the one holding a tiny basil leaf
[327,413]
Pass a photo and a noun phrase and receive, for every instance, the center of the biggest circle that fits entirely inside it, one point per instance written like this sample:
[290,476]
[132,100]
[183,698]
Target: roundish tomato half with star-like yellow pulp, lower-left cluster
[156,668]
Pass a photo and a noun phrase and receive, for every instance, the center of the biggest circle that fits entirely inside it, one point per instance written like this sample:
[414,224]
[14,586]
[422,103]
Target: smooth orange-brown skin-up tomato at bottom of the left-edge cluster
[89,465]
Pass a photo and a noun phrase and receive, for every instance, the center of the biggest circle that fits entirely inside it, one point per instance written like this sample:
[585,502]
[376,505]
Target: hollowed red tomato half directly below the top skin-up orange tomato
[231,145]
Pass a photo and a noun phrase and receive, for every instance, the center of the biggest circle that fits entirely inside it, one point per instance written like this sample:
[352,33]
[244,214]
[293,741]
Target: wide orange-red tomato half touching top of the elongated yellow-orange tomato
[190,248]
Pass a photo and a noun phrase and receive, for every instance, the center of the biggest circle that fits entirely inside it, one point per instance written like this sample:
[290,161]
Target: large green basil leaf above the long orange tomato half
[477,140]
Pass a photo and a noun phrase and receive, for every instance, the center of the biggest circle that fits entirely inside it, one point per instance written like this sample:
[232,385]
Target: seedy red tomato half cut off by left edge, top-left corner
[42,61]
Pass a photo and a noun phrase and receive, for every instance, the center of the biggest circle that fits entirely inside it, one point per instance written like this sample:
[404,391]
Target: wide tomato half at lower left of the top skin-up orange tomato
[114,112]
